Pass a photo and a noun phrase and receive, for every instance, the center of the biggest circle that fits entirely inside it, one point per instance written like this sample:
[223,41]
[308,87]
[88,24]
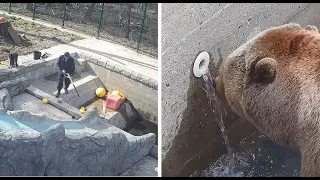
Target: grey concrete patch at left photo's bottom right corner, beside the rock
[145,167]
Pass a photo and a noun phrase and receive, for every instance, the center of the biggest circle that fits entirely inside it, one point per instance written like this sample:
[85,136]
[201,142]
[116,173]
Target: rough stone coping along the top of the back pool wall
[121,70]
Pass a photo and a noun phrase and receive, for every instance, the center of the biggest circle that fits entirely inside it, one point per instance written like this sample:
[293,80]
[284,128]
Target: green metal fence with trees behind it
[131,24]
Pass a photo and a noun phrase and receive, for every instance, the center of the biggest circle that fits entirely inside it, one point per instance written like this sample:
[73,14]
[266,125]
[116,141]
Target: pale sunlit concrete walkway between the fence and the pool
[108,52]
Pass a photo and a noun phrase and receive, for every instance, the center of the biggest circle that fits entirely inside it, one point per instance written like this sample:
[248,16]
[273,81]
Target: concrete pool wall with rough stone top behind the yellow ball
[141,90]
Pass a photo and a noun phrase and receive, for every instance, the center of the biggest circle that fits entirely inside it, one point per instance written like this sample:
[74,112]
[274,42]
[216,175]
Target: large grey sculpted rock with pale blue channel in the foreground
[87,147]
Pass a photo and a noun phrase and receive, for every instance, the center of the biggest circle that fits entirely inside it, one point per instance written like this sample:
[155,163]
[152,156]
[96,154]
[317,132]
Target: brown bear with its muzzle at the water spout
[273,81]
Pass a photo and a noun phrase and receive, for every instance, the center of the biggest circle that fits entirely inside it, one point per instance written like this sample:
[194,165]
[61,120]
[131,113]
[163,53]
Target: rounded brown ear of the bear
[265,70]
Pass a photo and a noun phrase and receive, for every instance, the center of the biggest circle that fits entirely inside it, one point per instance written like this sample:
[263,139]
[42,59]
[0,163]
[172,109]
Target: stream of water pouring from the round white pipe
[219,110]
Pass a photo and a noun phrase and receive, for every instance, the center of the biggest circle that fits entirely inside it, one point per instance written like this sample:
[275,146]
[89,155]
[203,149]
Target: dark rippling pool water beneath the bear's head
[257,156]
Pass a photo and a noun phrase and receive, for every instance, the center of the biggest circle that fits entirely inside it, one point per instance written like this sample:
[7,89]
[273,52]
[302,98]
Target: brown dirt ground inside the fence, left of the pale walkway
[36,37]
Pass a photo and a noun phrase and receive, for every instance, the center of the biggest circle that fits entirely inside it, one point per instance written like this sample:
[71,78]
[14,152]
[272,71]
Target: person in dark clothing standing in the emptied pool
[66,65]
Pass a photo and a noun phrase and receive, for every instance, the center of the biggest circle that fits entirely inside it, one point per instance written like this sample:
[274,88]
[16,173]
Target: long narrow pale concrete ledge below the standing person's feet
[54,101]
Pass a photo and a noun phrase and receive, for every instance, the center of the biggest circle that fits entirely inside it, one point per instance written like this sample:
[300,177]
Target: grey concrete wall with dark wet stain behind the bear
[191,139]
